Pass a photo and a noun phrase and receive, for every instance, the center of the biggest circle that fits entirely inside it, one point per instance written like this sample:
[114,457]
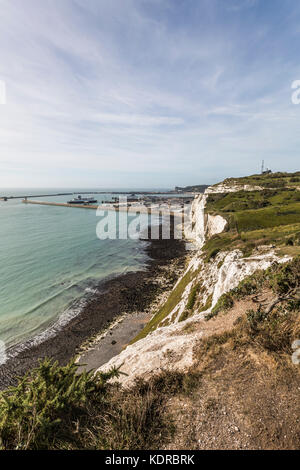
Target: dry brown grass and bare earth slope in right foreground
[247,393]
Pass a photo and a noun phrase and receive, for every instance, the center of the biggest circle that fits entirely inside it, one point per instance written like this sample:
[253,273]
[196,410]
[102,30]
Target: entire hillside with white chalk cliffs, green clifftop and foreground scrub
[216,367]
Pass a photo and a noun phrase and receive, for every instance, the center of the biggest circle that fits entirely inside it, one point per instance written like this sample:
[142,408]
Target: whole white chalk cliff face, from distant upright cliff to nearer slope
[171,345]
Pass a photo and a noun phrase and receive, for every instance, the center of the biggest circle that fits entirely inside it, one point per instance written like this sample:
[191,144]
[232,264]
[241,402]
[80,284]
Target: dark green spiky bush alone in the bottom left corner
[41,408]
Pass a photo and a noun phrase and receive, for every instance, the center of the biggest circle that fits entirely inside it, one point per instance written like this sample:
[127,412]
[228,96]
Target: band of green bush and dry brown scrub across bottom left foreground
[55,408]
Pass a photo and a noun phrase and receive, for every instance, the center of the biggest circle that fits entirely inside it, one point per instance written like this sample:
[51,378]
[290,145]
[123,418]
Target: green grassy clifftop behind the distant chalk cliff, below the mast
[270,216]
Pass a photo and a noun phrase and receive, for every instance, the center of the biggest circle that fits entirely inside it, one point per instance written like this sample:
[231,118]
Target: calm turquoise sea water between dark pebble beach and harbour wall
[50,261]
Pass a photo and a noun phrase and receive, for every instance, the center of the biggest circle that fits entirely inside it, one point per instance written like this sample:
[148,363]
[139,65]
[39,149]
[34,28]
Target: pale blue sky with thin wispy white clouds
[147,93]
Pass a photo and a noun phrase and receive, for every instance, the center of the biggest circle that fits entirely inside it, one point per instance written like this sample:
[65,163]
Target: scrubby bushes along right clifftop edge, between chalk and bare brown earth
[272,329]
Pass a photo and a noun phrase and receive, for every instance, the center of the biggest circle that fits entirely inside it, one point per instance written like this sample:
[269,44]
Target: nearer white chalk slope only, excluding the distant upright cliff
[171,347]
